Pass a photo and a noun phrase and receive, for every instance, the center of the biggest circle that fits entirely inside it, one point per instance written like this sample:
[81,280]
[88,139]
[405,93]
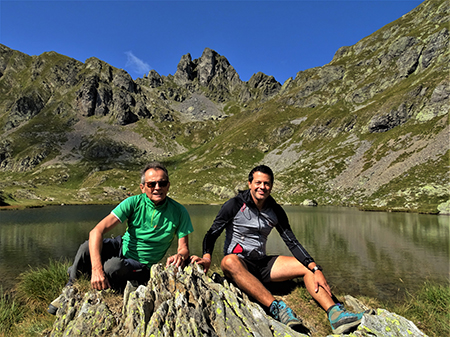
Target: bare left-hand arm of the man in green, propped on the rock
[98,279]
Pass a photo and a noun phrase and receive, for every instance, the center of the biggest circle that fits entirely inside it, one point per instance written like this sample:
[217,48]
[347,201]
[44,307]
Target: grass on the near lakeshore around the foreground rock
[23,312]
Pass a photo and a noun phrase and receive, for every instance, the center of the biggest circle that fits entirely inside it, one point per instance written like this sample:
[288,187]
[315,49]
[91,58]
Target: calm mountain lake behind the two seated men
[376,254]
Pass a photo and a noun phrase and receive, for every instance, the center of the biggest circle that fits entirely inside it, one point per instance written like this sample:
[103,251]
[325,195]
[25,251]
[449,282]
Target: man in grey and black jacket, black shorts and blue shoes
[248,219]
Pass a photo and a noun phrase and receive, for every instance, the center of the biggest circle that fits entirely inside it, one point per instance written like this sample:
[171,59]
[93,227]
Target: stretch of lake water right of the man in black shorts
[373,253]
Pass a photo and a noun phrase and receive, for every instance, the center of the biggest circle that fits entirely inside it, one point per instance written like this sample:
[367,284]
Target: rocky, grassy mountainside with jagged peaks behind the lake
[368,129]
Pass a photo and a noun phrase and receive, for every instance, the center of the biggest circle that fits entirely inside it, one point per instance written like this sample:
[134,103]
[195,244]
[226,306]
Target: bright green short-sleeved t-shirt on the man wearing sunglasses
[151,229]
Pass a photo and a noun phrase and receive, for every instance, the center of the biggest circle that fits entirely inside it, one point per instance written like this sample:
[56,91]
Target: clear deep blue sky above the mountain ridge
[278,38]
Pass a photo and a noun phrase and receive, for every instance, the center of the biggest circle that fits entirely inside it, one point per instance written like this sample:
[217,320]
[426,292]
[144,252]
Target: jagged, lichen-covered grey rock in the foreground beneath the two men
[188,303]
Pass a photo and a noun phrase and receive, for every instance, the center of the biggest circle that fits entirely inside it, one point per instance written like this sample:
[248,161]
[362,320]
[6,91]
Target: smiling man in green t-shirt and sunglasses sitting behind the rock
[154,219]
